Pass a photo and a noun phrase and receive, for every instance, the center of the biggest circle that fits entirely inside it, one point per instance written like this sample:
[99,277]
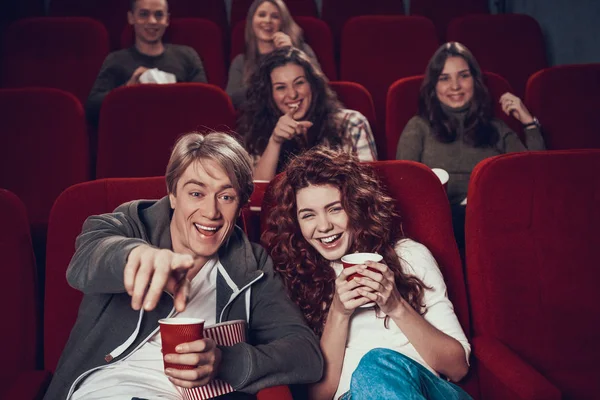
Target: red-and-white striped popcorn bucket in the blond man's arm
[224,334]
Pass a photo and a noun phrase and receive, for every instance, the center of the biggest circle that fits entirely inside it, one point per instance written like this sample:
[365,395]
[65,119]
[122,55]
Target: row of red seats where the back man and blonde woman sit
[375,50]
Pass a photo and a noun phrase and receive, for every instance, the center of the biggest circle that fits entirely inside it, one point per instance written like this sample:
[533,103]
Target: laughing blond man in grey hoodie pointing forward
[181,256]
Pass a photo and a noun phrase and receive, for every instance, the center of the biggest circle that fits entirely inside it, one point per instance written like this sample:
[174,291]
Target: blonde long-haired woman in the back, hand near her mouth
[269,26]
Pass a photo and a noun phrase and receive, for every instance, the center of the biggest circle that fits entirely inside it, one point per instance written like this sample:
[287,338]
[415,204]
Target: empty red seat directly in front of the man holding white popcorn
[140,124]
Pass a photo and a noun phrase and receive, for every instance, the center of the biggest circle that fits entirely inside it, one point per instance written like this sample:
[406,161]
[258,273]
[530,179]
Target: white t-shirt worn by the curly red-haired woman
[367,331]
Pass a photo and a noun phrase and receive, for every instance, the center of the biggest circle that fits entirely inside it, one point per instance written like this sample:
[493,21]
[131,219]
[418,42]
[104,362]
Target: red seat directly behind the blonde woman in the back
[316,33]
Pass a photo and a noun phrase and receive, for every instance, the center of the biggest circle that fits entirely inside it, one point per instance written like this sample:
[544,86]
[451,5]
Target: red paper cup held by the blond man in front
[174,331]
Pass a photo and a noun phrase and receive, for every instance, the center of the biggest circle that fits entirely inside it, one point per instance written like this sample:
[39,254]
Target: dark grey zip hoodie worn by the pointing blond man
[281,349]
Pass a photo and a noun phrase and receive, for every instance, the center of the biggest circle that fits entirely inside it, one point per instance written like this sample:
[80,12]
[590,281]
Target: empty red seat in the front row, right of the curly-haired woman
[532,235]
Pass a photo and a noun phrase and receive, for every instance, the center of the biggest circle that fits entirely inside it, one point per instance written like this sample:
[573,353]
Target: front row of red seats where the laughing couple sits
[527,304]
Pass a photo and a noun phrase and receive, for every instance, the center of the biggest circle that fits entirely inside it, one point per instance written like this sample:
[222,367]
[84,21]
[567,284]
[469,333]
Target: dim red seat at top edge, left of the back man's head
[110,13]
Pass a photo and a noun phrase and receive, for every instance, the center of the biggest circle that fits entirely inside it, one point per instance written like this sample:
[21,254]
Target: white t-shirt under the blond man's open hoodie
[141,374]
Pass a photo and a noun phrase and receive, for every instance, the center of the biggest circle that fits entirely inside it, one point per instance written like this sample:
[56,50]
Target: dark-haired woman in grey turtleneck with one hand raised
[455,128]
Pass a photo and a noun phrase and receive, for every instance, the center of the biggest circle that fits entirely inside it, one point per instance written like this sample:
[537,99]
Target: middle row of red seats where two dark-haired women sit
[46,146]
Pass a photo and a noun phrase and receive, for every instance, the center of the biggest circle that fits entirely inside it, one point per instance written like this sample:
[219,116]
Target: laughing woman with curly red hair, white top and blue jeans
[329,205]
